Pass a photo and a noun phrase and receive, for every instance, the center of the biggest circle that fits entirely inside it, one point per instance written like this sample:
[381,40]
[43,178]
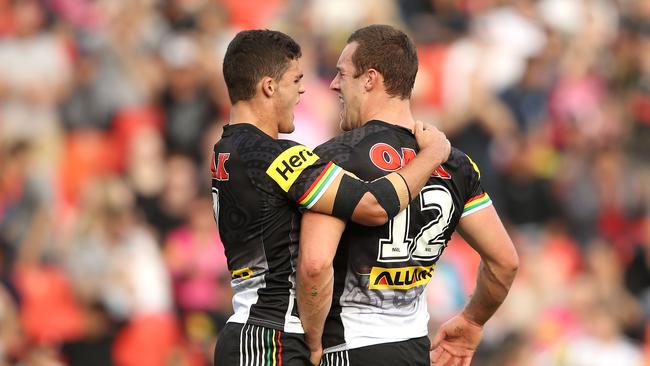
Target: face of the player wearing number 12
[349,88]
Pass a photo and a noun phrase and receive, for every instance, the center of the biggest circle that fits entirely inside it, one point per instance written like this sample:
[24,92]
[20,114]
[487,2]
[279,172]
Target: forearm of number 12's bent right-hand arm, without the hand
[492,286]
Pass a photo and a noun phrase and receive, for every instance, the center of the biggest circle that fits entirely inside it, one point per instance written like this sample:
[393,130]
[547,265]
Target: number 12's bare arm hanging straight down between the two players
[319,239]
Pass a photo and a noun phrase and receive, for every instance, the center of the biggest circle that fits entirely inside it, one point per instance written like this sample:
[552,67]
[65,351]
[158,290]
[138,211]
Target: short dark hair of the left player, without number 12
[254,54]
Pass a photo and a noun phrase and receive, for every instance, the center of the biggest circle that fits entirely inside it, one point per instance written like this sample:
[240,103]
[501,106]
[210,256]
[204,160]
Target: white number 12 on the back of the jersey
[429,242]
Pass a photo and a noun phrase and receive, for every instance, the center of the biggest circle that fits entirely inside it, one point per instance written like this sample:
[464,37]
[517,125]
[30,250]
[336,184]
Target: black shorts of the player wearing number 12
[413,352]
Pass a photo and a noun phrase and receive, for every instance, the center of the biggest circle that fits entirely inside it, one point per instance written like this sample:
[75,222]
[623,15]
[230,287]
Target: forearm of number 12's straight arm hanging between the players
[314,298]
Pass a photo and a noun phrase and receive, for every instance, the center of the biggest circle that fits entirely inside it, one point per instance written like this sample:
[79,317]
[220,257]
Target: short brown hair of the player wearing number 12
[389,51]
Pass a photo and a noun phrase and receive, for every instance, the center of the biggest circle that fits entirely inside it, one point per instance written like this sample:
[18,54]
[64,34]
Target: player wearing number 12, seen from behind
[361,290]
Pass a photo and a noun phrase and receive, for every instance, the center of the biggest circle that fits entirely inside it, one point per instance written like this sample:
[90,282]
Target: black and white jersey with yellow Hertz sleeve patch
[258,184]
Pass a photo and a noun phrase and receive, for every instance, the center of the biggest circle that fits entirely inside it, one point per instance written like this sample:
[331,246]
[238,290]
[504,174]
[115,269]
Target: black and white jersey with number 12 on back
[380,273]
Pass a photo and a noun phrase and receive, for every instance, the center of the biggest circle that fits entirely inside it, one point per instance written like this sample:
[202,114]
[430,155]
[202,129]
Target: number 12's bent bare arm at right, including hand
[458,338]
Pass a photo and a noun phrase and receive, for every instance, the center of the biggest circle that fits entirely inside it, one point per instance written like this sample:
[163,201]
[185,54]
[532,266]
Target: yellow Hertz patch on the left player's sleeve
[286,168]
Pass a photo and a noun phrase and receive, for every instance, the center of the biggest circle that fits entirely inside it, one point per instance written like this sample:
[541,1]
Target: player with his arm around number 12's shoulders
[259,182]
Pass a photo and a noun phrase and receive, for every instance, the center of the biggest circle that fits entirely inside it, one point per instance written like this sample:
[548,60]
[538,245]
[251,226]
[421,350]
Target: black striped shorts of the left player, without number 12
[248,344]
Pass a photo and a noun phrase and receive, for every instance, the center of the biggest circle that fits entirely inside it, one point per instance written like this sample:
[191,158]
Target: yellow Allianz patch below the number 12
[402,278]
